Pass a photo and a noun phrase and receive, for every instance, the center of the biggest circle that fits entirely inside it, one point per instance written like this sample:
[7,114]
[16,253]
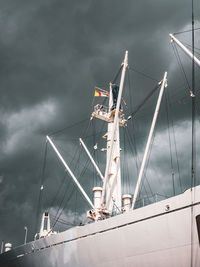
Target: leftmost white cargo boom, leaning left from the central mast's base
[70,172]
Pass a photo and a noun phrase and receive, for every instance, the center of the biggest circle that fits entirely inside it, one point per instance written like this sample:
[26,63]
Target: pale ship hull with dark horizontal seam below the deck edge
[161,234]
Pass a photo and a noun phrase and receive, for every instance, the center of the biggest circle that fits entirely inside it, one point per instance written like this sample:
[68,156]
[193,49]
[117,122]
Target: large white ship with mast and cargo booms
[161,234]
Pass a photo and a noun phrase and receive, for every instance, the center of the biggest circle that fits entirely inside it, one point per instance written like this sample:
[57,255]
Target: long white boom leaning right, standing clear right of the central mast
[149,140]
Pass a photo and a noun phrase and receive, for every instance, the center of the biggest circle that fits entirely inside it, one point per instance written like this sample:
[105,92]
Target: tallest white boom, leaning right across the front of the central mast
[116,118]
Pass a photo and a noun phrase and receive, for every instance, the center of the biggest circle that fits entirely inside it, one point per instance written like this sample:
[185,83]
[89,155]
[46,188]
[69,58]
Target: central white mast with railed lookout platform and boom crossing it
[113,115]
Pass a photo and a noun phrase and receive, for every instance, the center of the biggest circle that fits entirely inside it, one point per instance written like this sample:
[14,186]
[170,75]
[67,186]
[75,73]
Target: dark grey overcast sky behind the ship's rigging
[52,55]
